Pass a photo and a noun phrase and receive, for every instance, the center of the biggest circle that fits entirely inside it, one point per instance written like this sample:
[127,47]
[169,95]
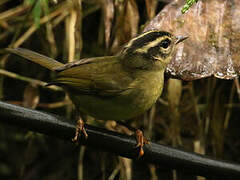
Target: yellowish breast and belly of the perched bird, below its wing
[141,95]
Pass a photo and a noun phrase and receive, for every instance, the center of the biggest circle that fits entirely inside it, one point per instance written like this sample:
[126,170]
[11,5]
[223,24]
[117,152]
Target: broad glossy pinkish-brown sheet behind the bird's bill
[213,47]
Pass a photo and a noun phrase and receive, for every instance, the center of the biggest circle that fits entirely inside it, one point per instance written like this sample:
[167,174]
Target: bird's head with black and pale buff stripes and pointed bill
[150,50]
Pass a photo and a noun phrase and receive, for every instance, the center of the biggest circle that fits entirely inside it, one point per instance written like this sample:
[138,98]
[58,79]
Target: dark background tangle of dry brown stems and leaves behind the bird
[200,116]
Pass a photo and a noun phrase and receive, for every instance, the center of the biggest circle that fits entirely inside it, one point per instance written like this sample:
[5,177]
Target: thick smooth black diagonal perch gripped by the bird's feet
[119,144]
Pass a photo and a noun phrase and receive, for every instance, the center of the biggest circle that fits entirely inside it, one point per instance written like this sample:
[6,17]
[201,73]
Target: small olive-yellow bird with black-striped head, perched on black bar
[118,87]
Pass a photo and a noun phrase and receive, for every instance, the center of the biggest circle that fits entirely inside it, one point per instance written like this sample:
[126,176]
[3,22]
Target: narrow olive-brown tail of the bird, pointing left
[40,59]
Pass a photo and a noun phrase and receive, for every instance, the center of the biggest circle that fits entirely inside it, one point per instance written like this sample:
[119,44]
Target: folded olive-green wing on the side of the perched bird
[102,76]
